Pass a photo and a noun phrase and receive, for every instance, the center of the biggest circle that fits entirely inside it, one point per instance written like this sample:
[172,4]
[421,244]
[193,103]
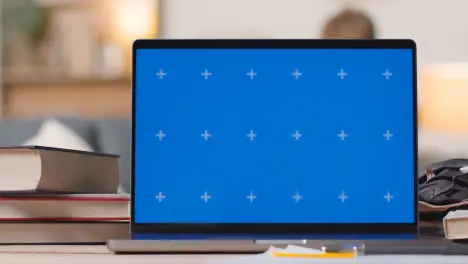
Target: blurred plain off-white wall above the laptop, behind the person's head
[439,27]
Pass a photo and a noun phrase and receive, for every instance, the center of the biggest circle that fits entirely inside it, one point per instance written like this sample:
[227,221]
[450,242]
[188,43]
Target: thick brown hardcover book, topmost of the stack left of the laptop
[54,170]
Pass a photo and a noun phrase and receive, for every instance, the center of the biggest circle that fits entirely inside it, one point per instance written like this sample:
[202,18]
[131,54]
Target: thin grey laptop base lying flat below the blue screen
[436,246]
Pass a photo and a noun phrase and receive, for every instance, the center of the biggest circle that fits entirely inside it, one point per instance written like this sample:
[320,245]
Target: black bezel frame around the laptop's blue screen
[245,230]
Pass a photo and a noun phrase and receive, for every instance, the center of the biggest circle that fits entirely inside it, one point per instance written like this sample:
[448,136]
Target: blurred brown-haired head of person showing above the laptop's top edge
[349,24]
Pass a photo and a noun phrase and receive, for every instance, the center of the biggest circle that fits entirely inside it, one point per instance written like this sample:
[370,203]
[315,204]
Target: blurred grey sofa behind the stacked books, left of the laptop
[102,135]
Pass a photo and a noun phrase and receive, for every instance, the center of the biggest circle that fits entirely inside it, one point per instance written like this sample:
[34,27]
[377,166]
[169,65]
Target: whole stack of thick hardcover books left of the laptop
[50,195]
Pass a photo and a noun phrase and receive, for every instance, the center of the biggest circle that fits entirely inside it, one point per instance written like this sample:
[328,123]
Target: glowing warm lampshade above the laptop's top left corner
[135,18]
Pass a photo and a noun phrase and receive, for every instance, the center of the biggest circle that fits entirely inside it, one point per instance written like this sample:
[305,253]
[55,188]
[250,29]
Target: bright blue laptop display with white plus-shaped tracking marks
[274,136]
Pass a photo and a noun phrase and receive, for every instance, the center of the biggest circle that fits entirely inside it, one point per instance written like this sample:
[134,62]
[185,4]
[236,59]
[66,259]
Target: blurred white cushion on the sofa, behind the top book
[57,135]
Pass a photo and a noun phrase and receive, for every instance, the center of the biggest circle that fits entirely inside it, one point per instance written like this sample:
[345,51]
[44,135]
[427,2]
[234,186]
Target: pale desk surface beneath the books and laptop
[99,254]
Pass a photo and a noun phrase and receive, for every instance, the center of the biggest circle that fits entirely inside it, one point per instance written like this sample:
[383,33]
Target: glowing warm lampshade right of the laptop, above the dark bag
[443,100]
